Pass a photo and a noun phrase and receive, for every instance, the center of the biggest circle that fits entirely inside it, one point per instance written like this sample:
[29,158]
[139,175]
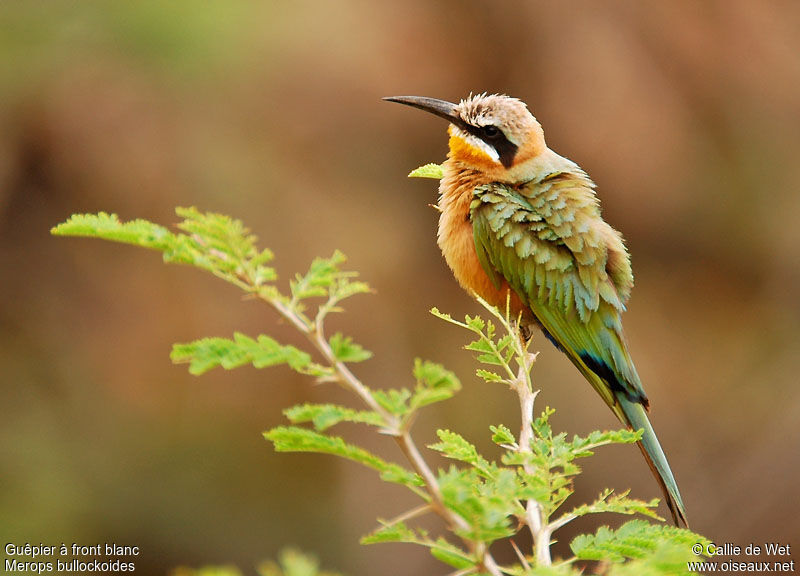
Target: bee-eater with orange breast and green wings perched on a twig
[520,223]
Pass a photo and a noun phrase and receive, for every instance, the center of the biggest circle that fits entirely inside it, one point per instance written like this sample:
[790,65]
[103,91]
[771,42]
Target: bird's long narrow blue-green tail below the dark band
[636,416]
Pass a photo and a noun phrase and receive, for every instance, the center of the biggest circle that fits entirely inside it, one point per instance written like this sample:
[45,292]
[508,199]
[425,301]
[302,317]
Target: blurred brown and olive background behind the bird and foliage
[686,114]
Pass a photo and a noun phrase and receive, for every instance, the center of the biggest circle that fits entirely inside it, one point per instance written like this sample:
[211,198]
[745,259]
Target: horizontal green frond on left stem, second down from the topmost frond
[207,353]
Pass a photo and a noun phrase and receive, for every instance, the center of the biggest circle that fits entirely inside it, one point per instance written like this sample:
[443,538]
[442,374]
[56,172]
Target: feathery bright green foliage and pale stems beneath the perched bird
[481,501]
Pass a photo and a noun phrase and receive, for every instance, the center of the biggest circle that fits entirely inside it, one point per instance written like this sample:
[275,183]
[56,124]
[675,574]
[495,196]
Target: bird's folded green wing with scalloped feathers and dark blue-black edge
[549,243]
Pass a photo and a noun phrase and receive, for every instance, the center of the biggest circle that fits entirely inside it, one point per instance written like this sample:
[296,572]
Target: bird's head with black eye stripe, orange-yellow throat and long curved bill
[492,133]
